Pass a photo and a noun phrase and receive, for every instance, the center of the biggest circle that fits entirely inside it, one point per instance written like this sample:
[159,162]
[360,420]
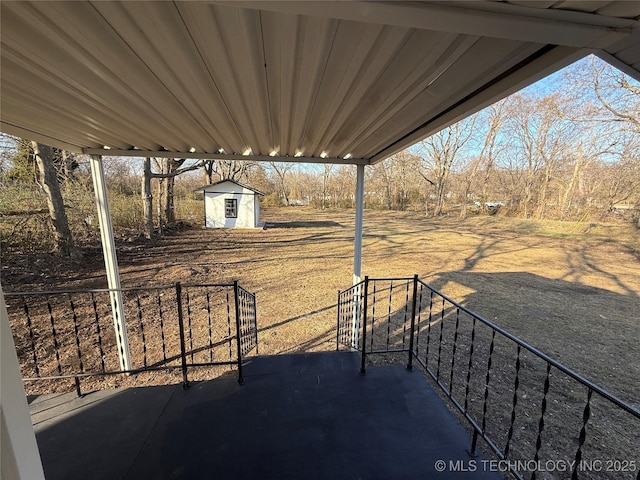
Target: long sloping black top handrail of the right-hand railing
[576,376]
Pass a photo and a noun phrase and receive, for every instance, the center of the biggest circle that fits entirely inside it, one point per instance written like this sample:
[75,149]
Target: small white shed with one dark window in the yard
[229,204]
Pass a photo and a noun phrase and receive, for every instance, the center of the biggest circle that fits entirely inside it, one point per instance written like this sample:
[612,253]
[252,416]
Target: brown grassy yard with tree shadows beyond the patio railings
[571,290]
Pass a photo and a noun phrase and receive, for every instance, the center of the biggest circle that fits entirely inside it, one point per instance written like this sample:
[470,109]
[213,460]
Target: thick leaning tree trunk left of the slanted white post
[62,234]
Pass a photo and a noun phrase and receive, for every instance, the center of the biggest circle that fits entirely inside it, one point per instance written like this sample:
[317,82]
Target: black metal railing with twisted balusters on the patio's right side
[540,418]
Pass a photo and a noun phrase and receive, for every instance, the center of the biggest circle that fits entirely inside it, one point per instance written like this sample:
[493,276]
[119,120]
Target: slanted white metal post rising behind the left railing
[110,261]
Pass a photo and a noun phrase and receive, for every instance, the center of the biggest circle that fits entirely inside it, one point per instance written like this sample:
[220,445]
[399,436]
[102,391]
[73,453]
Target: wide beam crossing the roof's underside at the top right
[544,26]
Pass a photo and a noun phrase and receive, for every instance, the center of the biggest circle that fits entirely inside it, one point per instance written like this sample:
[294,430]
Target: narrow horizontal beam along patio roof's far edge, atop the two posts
[111,152]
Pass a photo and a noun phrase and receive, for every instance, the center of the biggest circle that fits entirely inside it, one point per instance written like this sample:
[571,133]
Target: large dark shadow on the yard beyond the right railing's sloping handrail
[590,337]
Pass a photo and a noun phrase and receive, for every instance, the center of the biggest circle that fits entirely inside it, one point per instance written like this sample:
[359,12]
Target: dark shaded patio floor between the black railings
[299,416]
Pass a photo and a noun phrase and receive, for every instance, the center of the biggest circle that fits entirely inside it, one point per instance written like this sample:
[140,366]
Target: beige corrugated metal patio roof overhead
[351,82]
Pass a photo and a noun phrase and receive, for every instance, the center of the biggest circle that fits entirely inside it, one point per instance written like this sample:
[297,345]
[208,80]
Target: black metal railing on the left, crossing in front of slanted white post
[71,334]
